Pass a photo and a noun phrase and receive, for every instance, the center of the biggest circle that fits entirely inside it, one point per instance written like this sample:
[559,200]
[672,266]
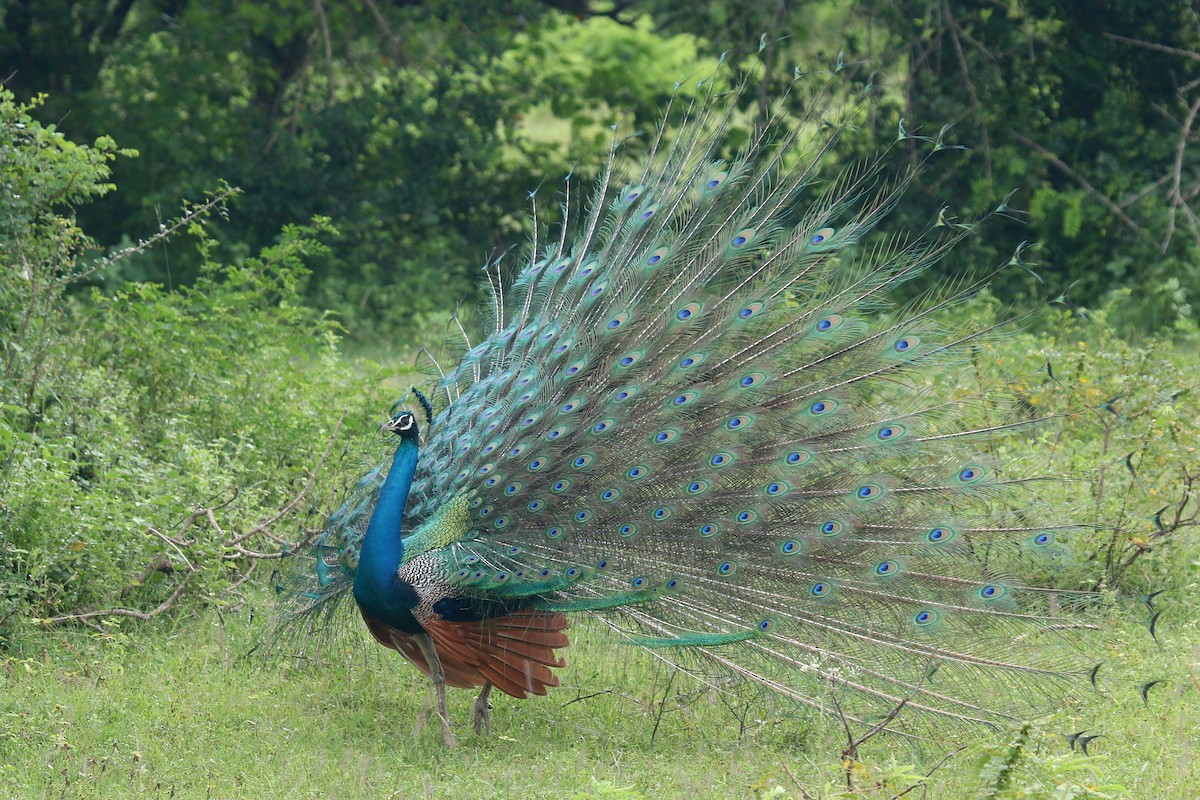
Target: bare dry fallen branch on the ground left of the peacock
[179,544]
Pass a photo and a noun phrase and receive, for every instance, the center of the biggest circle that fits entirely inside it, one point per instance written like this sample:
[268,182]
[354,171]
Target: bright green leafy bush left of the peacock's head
[127,419]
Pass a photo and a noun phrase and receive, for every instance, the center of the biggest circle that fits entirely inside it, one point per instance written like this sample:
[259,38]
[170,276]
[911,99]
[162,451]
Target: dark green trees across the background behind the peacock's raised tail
[422,128]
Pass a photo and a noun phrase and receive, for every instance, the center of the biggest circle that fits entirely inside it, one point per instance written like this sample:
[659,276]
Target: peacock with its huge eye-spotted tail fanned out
[697,414]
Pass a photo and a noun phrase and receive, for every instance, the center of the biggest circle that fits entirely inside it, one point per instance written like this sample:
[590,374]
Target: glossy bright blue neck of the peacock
[376,587]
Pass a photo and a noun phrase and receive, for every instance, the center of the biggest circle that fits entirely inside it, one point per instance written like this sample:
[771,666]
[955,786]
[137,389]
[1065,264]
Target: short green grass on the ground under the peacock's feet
[160,713]
